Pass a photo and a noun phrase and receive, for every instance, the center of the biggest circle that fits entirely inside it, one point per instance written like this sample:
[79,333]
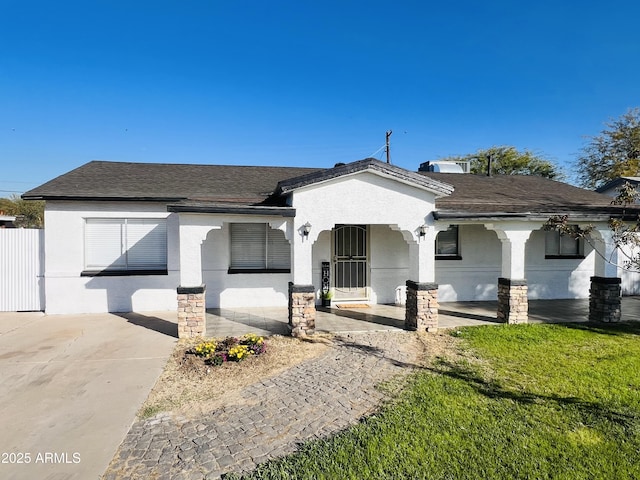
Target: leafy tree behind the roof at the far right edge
[612,154]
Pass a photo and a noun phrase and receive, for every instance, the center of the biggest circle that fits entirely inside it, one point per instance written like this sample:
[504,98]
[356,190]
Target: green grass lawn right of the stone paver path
[526,401]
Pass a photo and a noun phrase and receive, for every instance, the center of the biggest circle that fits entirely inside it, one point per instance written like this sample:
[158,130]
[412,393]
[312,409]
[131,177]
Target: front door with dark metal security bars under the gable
[350,262]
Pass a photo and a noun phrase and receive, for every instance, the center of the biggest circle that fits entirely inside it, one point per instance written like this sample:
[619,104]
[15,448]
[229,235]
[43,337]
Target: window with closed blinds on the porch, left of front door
[256,246]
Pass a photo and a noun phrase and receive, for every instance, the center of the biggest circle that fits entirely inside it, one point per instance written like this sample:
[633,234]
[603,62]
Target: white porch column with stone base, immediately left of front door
[302,305]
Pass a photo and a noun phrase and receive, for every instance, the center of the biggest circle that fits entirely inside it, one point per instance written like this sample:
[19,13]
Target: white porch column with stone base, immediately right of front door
[421,311]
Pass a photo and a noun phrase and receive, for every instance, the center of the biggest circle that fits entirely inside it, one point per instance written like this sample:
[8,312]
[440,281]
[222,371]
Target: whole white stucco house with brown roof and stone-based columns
[140,237]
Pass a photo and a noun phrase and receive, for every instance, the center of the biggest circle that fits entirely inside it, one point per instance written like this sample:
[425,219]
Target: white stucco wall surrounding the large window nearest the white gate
[68,292]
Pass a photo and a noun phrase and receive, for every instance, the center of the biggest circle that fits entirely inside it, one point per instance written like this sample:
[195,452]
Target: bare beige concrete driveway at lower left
[70,387]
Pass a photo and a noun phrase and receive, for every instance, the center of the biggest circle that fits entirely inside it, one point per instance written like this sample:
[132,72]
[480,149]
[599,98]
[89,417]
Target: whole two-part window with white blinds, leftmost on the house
[125,244]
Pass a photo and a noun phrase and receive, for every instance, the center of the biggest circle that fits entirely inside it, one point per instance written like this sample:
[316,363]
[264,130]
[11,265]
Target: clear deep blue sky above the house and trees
[305,83]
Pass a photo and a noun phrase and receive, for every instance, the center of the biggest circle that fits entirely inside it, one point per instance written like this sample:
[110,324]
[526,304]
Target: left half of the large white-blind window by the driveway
[104,243]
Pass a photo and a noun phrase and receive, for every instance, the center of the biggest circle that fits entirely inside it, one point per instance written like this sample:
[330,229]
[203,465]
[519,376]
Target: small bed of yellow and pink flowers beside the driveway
[231,349]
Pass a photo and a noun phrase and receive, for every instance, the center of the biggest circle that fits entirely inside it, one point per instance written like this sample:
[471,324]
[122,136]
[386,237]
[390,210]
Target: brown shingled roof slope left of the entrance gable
[100,180]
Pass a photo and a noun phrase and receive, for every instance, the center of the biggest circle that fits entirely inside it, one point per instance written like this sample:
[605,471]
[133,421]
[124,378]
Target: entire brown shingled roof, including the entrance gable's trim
[218,188]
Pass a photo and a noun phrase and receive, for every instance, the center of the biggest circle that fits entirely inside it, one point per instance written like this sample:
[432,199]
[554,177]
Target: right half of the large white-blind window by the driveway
[146,243]
